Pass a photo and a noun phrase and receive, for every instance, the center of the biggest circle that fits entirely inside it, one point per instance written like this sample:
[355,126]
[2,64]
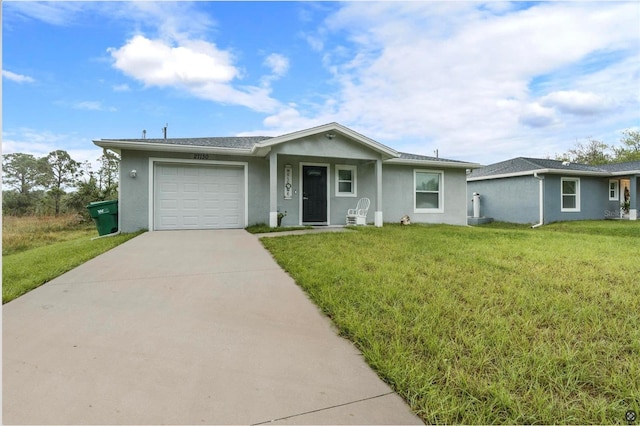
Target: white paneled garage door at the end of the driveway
[198,197]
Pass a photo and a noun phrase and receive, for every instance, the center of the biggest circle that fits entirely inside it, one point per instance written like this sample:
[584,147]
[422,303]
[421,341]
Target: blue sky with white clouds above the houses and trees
[478,81]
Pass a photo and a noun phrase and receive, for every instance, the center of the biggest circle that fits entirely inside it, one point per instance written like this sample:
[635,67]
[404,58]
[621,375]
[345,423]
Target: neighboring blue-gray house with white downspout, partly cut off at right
[540,191]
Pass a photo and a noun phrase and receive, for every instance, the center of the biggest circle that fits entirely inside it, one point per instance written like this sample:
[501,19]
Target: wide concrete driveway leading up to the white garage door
[183,327]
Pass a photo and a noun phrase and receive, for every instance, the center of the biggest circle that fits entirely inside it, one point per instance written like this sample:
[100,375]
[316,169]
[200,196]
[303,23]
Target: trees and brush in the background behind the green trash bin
[56,183]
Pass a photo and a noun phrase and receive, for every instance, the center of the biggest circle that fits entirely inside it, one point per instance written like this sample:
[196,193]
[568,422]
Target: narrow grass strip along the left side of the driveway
[24,271]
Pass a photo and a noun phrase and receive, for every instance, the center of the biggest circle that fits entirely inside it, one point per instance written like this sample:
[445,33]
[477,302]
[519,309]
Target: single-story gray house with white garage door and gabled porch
[314,175]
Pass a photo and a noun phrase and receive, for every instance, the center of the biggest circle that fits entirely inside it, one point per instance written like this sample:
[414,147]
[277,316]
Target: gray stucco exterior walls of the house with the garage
[136,194]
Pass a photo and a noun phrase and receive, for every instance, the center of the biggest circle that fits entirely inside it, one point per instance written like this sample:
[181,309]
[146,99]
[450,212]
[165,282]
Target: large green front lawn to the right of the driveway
[486,325]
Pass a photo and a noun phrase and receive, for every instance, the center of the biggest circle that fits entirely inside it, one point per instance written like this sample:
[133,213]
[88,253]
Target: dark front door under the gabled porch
[314,194]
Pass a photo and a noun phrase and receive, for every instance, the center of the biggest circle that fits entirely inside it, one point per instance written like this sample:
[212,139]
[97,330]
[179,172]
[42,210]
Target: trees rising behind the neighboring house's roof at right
[596,152]
